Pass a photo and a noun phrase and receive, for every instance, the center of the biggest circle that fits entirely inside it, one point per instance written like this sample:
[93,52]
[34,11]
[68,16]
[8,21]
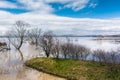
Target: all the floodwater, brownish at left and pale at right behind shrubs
[12,68]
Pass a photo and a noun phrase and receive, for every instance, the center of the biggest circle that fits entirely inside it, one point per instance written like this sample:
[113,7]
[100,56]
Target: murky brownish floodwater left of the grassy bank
[12,68]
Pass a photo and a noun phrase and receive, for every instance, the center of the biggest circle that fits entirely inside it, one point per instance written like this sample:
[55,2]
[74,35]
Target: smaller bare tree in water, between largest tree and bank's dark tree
[34,35]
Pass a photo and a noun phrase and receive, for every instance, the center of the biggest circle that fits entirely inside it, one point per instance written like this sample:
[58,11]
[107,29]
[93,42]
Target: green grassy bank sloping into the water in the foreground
[75,69]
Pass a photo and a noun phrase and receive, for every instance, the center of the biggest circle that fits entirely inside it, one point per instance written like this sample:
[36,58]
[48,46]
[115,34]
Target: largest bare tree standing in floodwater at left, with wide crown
[17,35]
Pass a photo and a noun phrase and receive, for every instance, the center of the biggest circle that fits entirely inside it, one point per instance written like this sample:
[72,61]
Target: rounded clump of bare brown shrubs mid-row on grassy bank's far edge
[74,51]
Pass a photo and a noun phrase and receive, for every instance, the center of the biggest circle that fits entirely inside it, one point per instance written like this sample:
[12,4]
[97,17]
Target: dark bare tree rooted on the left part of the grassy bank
[46,42]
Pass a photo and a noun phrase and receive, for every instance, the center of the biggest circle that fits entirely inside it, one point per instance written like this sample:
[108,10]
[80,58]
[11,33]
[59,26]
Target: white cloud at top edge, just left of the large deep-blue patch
[36,5]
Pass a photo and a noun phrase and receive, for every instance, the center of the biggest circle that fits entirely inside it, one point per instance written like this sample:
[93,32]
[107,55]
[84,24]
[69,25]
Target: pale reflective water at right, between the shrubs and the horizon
[97,44]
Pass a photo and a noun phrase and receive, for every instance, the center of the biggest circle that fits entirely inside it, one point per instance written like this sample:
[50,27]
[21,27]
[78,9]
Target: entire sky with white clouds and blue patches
[80,17]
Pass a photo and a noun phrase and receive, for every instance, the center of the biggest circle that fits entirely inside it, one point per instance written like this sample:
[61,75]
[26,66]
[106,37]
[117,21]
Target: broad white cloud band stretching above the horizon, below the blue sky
[62,25]
